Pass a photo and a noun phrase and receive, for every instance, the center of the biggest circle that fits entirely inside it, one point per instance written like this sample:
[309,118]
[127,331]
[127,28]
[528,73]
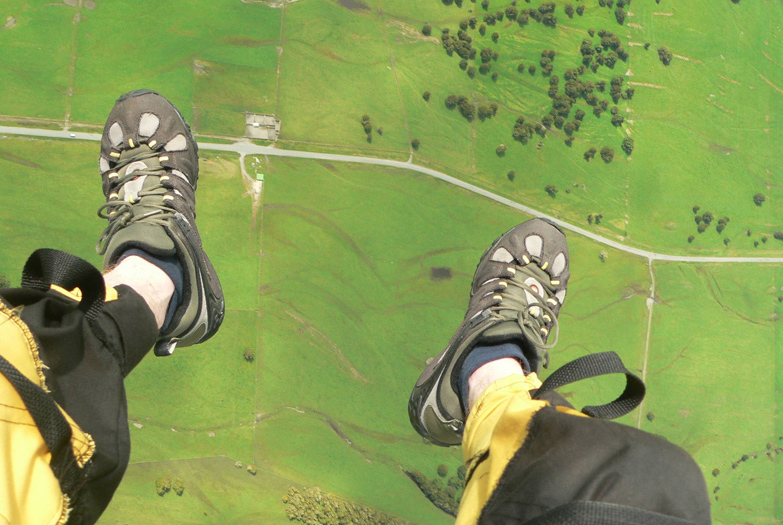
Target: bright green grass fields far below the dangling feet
[329,280]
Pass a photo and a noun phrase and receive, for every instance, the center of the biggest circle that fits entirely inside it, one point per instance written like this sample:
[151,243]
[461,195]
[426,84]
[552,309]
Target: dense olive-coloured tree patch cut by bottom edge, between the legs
[311,506]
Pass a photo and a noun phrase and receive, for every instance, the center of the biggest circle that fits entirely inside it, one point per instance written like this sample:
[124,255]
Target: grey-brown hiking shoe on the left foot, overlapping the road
[149,167]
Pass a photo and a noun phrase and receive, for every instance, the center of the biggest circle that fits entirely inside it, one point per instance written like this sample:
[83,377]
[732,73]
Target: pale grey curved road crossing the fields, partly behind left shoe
[246,148]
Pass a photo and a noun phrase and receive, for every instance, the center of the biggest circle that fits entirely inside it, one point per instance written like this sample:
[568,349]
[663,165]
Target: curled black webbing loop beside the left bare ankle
[46,267]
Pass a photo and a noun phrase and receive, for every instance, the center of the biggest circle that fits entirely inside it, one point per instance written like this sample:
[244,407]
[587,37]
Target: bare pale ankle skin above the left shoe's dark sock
[147,280]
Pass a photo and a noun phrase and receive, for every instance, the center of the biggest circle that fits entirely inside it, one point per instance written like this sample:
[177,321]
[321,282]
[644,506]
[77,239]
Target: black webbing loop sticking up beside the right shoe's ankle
[594,365]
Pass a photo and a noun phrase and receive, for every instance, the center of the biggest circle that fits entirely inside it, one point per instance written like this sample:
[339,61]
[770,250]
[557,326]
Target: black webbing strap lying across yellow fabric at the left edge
[54,428]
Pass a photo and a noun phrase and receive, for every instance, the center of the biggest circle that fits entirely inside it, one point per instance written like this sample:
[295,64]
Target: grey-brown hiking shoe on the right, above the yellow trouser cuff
[518,289]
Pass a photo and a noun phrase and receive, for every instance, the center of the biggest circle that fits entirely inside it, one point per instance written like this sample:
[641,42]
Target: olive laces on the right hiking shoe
[532,318]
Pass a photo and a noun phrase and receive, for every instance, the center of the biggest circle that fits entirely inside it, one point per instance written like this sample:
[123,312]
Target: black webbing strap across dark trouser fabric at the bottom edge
[599,513]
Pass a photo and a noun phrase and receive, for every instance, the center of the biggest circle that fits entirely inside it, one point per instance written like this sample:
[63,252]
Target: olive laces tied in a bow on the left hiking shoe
[121,213]
